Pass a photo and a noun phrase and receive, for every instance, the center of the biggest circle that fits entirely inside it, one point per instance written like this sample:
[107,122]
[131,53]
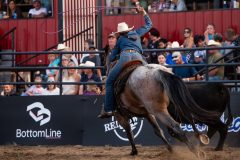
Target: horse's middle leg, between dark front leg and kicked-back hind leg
[158,131]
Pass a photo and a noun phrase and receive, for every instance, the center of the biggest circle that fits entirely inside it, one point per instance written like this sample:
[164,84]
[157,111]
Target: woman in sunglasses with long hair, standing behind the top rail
[188,43]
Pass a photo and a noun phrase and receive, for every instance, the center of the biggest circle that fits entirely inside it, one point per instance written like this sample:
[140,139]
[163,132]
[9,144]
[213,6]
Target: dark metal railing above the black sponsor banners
[235,82]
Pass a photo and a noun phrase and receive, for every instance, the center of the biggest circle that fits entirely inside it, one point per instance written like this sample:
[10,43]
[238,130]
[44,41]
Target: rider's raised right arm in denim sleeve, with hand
[148,24]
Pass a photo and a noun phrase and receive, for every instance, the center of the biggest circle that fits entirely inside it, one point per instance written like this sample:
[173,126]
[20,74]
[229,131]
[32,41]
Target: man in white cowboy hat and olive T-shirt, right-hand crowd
[215,73]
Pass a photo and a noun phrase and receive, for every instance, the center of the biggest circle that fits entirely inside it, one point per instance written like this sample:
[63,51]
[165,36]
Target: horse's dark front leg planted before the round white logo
[123,121]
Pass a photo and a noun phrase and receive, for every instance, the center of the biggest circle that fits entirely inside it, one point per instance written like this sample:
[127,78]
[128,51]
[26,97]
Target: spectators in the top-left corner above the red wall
[12,11]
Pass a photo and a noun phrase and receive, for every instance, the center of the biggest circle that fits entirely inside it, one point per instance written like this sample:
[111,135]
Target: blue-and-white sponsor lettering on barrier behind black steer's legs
[235,126]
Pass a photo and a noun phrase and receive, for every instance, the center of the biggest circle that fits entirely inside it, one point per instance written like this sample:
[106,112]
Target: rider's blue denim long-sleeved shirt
[127,42]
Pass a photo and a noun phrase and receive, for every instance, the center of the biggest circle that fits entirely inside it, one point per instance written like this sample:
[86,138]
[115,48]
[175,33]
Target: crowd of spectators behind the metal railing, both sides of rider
[80,70]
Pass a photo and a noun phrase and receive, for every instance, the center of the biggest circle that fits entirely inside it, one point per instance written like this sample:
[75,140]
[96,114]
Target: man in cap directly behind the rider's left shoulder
[112,39]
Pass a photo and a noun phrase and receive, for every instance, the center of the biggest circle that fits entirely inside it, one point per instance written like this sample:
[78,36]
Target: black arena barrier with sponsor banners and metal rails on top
[72,120]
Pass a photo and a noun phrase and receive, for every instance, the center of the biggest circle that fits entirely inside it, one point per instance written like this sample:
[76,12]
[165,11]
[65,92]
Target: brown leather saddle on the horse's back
[122,78]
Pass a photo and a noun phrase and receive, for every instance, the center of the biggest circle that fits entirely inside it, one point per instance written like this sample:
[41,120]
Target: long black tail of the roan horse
[185,106]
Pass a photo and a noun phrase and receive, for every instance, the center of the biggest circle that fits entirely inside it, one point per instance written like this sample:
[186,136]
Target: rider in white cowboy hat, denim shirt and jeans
[128,48]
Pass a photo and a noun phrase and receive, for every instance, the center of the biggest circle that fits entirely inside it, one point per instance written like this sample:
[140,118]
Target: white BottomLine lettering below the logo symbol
[47,133]
